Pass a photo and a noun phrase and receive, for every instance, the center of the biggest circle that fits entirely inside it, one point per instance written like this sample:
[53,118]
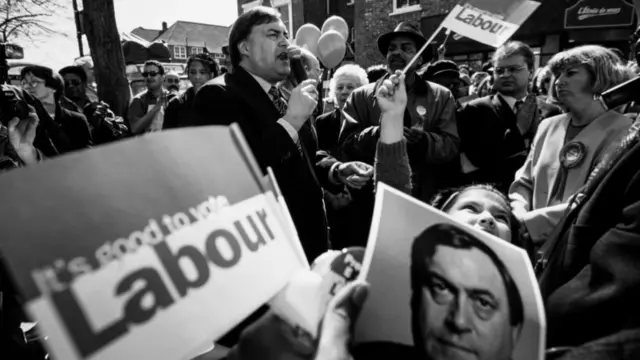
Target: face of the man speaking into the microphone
[265,50]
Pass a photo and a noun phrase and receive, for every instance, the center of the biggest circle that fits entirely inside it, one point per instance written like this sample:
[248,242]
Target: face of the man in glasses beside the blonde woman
[511,75]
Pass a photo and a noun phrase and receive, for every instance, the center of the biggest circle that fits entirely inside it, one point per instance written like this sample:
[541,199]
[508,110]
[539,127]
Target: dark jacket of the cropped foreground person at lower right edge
[591,281]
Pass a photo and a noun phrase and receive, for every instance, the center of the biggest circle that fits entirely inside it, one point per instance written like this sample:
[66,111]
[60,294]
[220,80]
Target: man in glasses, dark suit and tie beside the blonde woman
[496,131]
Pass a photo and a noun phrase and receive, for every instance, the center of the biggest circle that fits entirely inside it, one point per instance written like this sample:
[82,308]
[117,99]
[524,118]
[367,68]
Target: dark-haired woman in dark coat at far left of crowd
[48,87]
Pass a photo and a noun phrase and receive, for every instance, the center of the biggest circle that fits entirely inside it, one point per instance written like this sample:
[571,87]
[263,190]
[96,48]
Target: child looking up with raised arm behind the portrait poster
[481,206]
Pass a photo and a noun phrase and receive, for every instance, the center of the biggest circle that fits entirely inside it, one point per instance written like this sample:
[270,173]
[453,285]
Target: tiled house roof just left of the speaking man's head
[196,34]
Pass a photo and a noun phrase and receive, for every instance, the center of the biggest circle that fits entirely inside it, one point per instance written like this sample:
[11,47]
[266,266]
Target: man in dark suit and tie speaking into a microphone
[260,56]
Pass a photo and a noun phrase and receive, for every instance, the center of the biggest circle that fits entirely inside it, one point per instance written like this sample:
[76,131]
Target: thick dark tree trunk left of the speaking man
[108,59]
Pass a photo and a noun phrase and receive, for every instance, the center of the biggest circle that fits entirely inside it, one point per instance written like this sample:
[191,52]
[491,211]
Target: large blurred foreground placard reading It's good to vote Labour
[145,249]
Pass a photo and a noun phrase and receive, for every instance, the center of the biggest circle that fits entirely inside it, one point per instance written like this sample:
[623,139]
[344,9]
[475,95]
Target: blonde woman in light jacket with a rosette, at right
[567,147]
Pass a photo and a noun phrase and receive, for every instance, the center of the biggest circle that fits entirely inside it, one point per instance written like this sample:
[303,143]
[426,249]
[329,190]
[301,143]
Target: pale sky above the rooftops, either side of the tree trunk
[57,51]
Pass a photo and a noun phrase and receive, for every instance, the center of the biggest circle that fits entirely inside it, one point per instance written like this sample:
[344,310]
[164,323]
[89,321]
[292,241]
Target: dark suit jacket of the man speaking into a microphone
[237,97]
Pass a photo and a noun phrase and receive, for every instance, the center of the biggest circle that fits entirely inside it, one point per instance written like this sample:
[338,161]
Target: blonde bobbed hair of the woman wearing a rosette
[605,67]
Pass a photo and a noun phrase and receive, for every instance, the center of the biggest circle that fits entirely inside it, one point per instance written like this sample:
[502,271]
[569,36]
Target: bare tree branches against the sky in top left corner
[28,18]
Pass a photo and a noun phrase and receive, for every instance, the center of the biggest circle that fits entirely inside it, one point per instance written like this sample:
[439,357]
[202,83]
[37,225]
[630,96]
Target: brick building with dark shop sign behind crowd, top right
[555,26]
